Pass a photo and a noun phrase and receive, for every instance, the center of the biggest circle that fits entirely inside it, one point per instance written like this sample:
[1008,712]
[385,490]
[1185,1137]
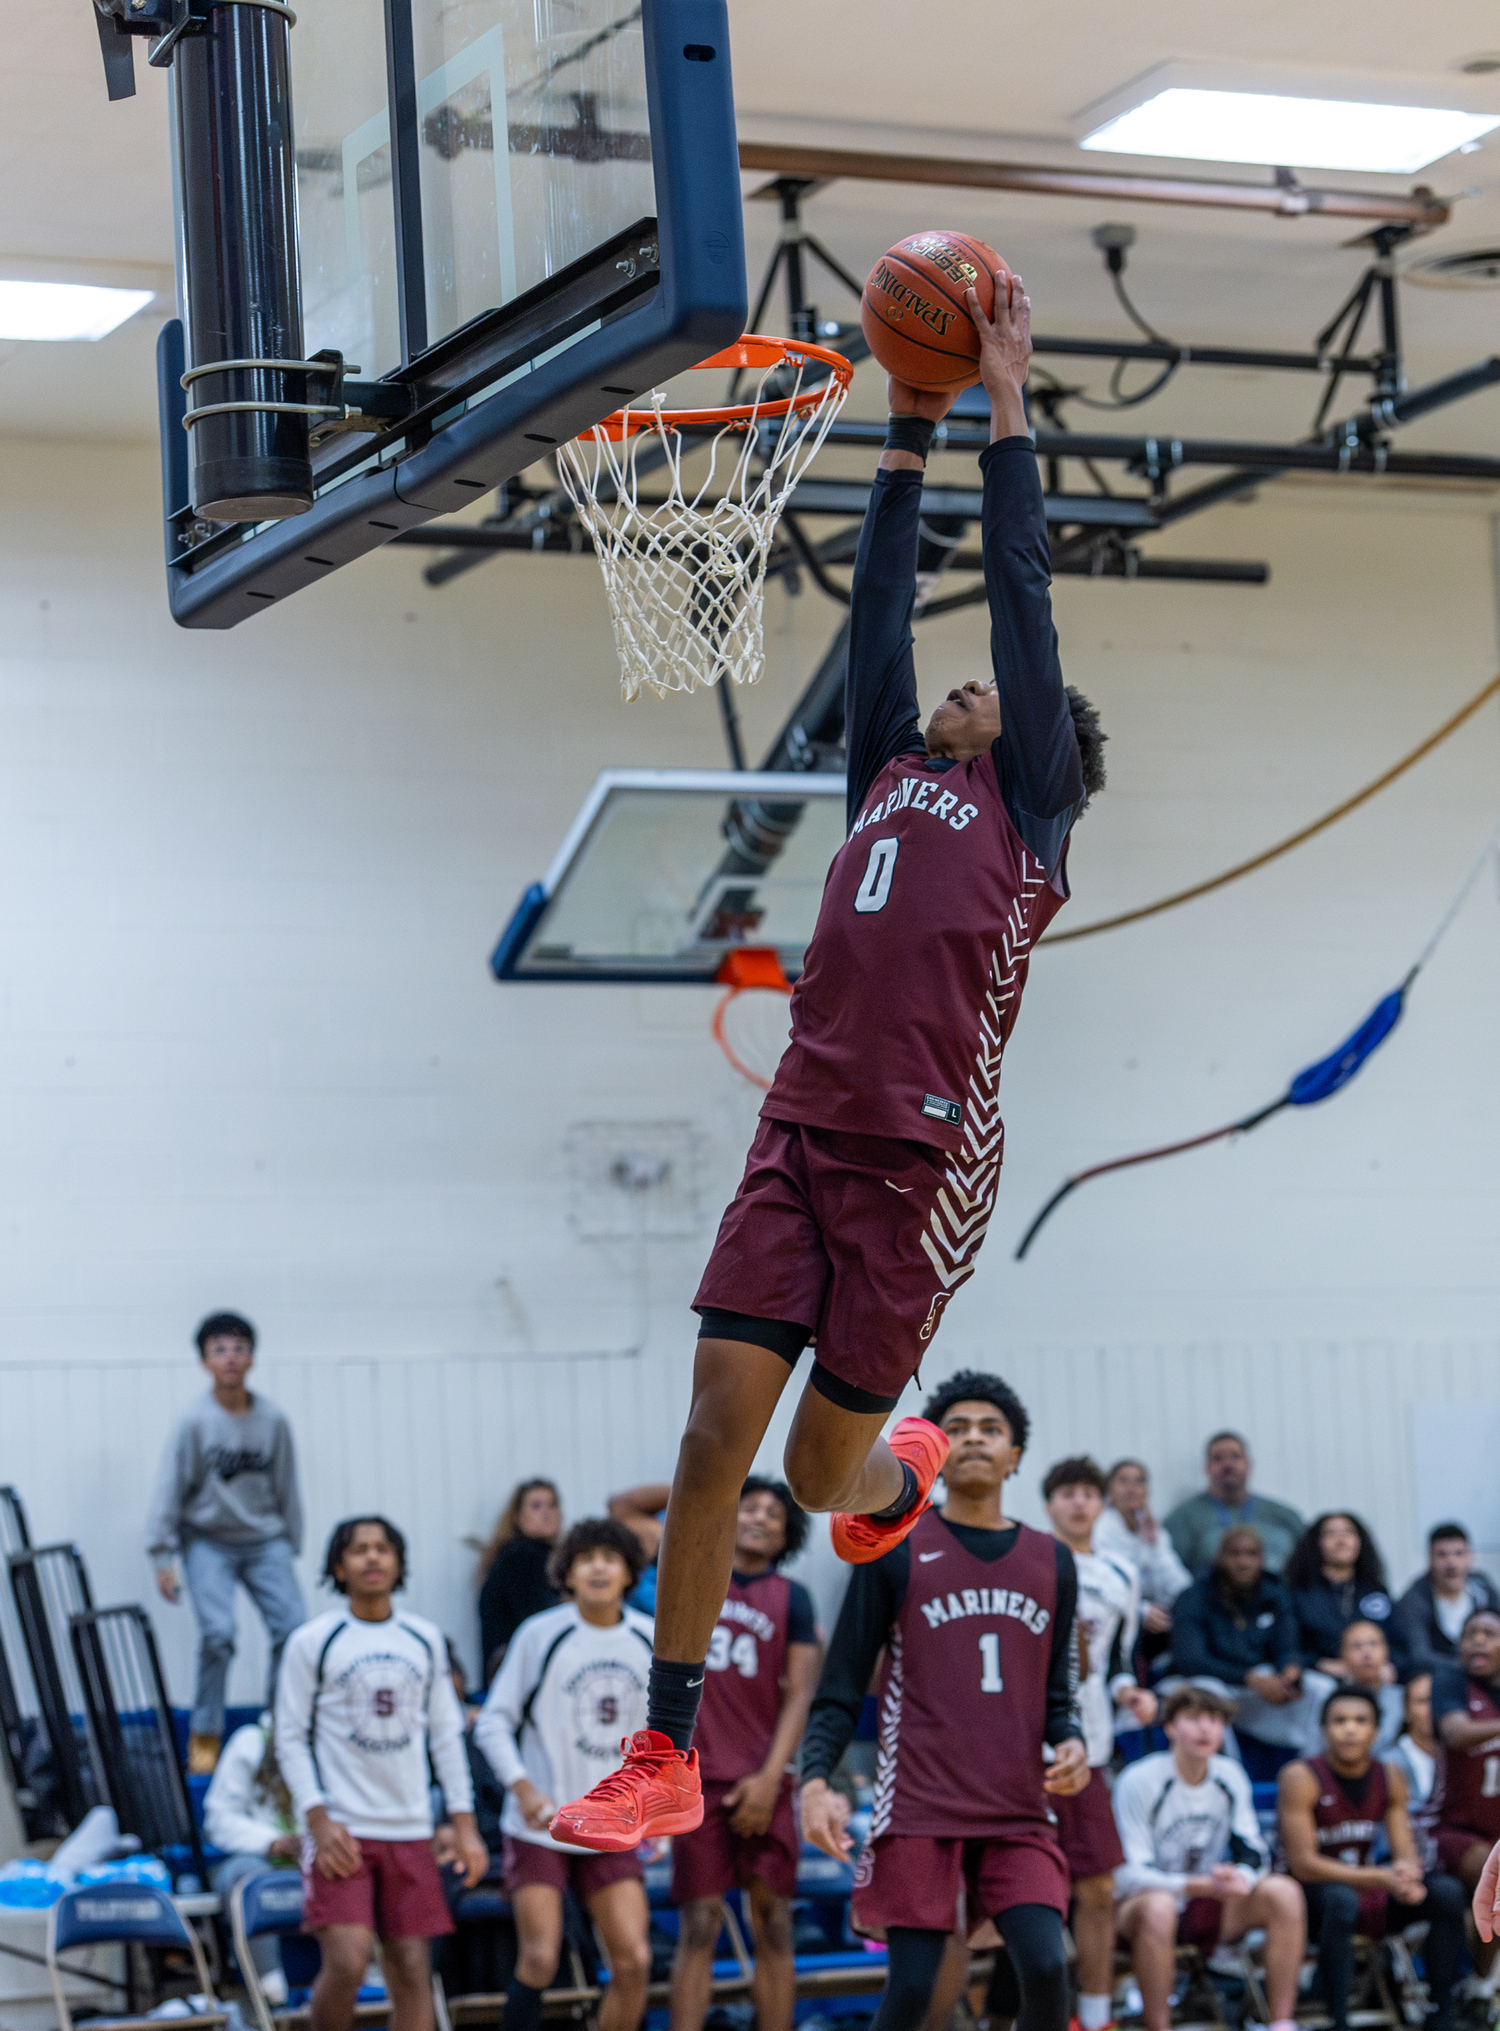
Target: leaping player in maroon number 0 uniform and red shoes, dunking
[874,1171]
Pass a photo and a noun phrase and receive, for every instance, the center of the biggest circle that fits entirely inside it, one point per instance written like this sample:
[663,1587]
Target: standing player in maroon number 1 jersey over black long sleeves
[977,1624]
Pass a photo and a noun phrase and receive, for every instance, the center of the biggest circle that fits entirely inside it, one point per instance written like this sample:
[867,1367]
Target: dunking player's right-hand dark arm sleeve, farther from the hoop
[1036,757]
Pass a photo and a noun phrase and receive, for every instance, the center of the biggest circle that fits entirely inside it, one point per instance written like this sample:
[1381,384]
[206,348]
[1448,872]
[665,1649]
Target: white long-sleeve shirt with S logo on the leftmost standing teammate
[358,1711]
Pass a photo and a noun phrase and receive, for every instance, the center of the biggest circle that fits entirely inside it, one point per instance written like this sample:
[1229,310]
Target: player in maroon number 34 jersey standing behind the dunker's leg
[762,1673]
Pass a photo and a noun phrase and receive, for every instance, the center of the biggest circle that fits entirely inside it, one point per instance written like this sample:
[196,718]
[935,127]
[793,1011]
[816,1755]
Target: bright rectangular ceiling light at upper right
[1262,127]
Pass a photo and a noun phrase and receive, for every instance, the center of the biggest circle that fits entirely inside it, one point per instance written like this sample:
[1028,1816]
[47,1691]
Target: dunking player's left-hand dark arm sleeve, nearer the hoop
[882,679]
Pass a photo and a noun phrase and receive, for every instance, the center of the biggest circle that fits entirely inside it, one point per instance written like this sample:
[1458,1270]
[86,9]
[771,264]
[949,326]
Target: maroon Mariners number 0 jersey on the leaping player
[914,974]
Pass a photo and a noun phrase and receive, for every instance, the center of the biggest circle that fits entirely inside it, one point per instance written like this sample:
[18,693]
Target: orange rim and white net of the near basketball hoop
[685,572]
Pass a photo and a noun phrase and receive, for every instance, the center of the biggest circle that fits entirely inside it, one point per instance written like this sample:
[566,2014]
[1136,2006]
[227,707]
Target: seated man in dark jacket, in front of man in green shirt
[1235,1634]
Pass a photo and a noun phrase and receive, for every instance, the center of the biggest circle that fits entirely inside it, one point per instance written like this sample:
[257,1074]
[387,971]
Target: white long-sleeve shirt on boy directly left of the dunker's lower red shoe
[561,1705]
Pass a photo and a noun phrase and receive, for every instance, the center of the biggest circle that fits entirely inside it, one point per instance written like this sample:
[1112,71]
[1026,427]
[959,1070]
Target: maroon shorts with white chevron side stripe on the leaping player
[851,1240]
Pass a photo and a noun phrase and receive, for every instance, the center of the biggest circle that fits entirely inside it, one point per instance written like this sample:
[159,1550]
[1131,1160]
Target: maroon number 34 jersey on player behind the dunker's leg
[744,1673]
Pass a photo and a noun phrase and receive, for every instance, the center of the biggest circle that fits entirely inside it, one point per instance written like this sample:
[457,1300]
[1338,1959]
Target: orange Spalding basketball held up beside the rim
[914,314]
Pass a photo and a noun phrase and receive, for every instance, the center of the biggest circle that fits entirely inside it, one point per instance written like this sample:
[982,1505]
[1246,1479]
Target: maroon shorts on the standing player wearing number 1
[955,1886]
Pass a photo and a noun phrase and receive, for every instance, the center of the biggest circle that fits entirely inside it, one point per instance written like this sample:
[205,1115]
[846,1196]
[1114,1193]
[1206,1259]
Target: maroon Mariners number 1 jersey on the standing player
[965,1691]
